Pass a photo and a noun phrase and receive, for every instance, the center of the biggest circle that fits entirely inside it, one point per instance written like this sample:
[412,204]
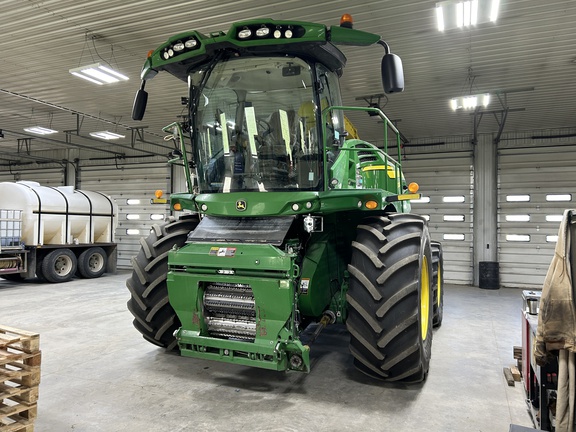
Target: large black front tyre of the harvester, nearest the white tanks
[154,317]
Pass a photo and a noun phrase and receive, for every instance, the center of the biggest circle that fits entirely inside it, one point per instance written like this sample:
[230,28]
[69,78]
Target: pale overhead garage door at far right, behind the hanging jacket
[535,186]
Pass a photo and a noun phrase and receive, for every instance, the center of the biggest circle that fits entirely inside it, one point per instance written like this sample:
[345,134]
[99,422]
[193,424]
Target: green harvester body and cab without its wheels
[267,261]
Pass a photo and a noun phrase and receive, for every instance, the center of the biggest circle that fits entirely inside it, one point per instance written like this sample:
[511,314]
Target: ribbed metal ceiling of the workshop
[531,46]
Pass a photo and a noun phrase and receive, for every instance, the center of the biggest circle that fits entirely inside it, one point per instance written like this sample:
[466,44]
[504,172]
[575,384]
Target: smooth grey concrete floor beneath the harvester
[98,374]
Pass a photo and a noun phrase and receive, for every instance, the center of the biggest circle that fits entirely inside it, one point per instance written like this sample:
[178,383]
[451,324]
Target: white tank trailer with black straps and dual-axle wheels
[55,233]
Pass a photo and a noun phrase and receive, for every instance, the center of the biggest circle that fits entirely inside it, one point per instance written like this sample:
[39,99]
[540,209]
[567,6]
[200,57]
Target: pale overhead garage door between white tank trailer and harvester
[132,187]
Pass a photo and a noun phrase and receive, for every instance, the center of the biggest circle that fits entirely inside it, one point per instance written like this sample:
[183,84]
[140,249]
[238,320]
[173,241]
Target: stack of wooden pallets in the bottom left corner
[20,359]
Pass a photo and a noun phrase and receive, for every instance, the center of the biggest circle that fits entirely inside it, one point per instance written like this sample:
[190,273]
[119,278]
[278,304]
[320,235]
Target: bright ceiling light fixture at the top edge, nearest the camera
[452,14]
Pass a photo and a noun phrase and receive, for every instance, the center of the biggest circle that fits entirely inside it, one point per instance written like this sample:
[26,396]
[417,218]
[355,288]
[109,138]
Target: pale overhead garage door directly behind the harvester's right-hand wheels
[445,181]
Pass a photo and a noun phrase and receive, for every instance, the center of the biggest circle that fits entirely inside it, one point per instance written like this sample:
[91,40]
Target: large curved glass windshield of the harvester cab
[256,126]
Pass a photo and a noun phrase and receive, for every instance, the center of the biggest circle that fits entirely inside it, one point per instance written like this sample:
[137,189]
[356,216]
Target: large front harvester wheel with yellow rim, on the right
[390,298]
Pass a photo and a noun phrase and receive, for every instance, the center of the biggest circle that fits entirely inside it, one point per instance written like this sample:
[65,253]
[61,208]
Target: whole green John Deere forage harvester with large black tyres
[287,219]
